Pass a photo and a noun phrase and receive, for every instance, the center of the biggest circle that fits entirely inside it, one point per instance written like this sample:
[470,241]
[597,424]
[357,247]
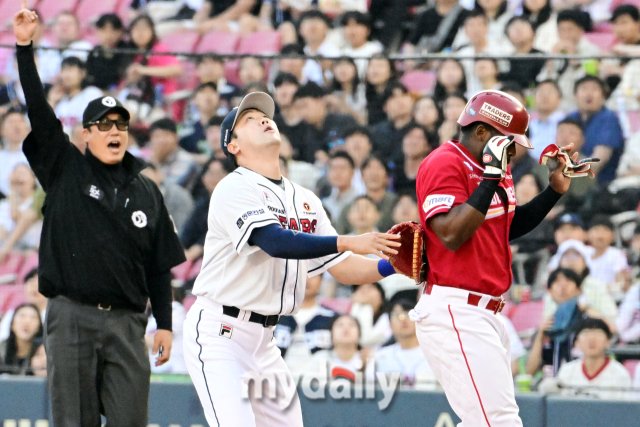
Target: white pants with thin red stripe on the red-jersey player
[468,349]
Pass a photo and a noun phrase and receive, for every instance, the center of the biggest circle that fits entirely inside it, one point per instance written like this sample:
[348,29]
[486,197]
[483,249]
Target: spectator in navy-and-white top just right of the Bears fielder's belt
[305,333]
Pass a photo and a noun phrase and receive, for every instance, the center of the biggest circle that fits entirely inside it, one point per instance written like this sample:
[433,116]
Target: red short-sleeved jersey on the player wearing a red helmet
[446,179]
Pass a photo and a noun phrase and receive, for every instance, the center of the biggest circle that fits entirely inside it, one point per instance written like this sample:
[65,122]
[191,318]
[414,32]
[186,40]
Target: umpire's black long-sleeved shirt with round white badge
[106,233]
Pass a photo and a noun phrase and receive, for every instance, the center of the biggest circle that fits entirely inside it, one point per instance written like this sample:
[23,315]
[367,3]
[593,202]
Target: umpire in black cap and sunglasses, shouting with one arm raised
[107,246]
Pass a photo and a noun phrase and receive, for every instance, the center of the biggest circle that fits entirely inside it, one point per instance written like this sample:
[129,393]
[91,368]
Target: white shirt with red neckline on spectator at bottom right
[611,375]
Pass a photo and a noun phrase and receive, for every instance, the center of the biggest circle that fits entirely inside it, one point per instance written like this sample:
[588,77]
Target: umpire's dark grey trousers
[97,363]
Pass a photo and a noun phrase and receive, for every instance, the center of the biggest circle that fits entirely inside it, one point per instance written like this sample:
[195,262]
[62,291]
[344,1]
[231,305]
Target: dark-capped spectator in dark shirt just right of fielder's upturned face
[325,128]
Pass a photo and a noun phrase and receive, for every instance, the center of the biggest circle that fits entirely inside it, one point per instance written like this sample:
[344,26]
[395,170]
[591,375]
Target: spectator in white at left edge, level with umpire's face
[13,130]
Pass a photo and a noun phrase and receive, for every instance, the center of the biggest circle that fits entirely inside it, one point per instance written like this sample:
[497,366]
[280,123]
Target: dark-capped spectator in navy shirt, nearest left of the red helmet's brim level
[388,135]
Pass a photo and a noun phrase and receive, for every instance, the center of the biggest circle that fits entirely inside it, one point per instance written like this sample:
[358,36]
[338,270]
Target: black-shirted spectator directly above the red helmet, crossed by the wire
[522,71]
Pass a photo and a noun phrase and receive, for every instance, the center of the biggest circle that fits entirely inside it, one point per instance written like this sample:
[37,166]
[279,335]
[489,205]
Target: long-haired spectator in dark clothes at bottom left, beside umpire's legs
[16,351]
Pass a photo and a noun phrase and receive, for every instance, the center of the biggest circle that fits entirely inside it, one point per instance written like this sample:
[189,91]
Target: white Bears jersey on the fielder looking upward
[237,274]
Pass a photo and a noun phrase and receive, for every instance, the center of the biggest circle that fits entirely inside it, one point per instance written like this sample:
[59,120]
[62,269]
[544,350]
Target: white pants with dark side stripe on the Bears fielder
[218,351]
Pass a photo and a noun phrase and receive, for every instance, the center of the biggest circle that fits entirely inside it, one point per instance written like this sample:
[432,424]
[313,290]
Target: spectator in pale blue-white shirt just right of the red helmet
[544,122]
